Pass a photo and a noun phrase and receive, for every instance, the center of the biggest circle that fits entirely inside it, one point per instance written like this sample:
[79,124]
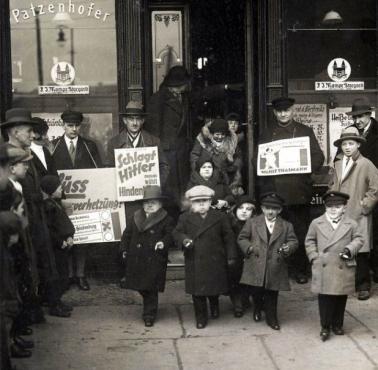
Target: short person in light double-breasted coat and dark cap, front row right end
[332,243]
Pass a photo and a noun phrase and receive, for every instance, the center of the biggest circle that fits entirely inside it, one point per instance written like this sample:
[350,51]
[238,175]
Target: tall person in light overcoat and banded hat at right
[357,176]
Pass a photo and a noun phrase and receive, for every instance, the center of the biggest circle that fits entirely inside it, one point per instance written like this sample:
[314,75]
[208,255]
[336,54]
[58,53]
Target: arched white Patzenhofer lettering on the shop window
[72,7]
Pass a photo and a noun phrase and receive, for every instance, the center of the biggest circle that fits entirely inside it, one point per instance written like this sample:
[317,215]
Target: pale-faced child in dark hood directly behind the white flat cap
[206,174]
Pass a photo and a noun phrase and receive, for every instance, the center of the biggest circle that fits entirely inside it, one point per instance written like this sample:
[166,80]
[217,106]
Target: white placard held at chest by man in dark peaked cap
[283,157]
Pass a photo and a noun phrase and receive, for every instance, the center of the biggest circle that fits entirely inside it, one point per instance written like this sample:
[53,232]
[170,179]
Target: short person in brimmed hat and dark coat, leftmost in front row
[144,246]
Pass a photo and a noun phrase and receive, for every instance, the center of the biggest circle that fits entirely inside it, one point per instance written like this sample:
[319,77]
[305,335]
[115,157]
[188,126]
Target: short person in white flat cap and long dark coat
[209,246]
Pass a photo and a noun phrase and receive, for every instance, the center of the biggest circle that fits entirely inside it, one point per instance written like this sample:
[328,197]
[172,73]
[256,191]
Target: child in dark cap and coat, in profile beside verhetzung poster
[61,232]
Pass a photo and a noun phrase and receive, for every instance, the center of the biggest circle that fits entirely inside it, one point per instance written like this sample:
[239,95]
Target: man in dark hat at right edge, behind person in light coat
[368,128]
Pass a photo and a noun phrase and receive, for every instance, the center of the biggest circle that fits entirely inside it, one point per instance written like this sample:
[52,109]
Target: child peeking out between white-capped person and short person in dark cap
[244,209]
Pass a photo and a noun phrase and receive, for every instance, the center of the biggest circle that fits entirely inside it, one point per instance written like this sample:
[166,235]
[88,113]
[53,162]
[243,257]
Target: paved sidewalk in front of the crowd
[106,332]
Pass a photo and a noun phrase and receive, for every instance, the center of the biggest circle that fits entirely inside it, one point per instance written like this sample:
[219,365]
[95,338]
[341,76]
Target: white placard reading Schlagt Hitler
[135,168]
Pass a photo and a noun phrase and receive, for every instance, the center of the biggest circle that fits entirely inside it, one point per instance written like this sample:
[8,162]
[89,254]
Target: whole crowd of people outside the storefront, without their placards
[233,244]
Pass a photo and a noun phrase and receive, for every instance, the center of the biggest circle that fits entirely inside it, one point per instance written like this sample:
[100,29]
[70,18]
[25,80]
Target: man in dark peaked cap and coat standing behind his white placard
[295,189]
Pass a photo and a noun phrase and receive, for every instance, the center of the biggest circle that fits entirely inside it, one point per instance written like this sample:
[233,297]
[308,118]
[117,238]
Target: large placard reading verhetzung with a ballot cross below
[94,191]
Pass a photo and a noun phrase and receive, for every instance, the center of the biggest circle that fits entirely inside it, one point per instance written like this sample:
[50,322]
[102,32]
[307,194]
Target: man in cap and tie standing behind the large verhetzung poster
[72,151]
